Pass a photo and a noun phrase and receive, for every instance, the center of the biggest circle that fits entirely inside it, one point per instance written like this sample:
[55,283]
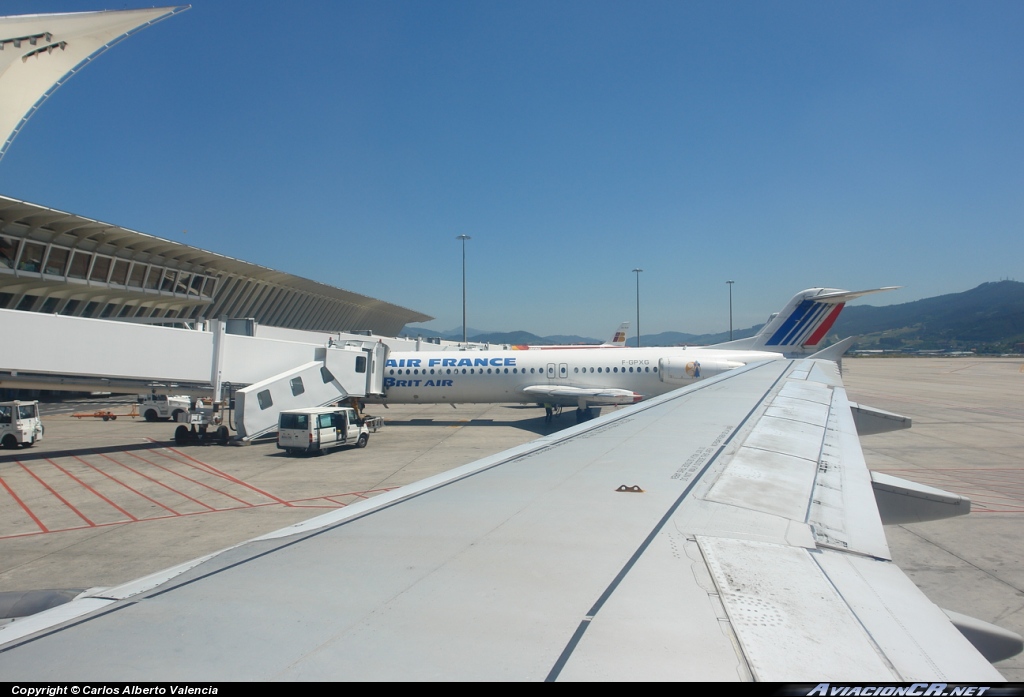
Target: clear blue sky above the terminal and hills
[781,145]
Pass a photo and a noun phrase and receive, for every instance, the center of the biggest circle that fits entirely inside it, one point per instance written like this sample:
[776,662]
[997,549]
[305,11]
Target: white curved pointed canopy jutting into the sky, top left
[39,53]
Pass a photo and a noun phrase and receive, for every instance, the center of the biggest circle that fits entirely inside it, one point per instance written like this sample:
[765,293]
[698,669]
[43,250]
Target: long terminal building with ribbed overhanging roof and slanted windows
[52,262]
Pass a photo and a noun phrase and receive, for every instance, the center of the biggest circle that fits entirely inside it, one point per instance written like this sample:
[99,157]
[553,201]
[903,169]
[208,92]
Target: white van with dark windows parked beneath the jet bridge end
[316,430]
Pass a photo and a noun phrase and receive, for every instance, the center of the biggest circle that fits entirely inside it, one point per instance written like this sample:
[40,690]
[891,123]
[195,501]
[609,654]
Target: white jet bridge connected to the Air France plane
[76,354]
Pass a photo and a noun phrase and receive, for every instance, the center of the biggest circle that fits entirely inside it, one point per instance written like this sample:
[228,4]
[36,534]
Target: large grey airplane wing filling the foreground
[724,532]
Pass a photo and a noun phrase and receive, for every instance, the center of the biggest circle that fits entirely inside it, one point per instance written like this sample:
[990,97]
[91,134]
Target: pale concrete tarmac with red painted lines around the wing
[99,503]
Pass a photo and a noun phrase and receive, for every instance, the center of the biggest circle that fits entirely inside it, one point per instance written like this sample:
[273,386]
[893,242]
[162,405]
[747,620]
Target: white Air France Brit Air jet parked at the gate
[588,378]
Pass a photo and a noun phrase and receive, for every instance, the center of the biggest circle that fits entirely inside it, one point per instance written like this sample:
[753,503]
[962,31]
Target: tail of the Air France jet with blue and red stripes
[802,326]
